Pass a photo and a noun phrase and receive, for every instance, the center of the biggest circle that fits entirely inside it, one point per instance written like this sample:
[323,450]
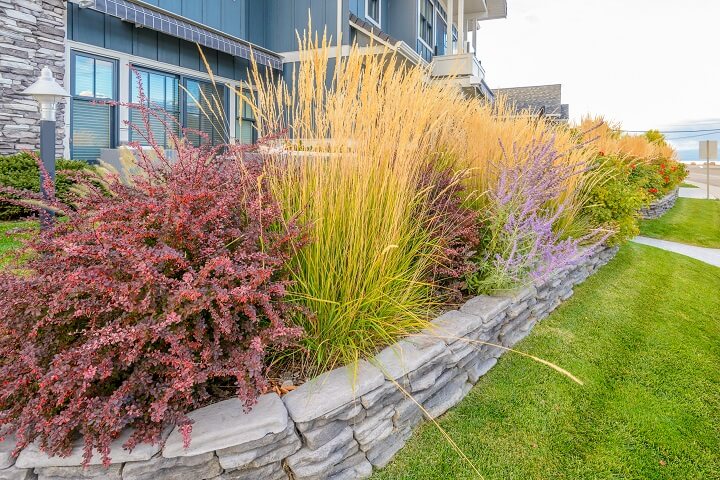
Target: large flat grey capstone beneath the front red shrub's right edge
[227,424]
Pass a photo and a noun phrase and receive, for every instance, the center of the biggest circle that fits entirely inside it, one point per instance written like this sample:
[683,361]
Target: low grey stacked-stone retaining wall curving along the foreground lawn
[339,425]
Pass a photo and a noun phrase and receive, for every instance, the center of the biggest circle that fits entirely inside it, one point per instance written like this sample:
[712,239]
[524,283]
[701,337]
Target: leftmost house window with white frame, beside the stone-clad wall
[92,123]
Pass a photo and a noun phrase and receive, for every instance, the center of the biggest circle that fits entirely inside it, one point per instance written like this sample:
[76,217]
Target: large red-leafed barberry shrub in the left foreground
[144,302]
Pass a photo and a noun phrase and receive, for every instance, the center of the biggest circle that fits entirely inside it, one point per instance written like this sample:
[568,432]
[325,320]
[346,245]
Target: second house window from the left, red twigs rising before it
[162,94]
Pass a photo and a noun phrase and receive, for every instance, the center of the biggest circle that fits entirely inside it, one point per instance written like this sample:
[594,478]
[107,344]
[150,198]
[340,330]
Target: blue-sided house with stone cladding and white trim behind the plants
[97,47]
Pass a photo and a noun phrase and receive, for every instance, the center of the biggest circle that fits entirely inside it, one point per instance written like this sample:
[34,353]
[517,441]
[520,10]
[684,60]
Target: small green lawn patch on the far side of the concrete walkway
[691,221]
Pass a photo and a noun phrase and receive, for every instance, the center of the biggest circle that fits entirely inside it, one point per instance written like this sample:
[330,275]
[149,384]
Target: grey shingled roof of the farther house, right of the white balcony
[539,100]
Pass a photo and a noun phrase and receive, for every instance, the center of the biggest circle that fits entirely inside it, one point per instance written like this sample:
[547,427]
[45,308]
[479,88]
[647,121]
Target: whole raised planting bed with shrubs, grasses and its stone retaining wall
[188,320]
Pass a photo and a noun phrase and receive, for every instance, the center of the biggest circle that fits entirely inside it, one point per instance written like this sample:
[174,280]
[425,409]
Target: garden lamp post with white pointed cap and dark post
[48,93]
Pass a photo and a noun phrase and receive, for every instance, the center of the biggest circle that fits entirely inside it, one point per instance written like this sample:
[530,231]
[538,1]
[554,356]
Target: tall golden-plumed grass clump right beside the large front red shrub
[362,167]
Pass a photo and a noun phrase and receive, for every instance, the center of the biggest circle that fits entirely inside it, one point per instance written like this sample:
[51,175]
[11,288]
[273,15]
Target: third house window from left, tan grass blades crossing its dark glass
[205,112]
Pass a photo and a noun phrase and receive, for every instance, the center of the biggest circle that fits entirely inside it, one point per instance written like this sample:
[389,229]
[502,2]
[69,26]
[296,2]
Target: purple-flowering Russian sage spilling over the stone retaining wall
[519,239]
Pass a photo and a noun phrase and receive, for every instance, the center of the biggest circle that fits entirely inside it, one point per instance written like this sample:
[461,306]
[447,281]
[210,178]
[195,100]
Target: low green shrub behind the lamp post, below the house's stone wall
[21,171]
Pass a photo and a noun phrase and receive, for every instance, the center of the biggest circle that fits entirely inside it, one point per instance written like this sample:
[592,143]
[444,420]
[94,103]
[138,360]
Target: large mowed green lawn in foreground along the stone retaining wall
[644,336]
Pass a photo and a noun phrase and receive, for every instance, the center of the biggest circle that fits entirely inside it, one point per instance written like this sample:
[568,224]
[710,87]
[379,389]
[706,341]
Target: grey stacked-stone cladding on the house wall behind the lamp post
[32,35]
